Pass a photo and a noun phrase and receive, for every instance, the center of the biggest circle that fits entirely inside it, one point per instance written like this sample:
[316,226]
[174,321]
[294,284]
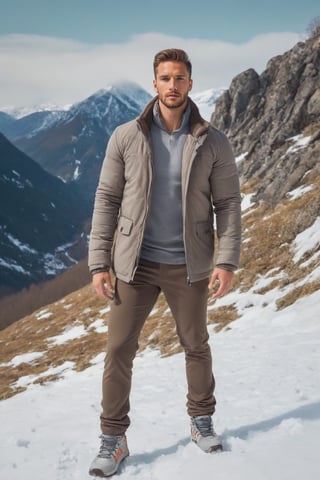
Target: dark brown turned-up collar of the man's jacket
[198,126]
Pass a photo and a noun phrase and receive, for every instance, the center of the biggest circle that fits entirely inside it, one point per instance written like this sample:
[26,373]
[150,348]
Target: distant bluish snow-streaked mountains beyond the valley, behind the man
[69,143]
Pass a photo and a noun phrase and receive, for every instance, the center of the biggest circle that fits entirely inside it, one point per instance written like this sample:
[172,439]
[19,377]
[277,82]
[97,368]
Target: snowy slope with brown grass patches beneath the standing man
[266,365]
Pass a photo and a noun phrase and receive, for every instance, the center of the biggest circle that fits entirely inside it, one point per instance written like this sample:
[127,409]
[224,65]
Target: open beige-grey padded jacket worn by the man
[210,185]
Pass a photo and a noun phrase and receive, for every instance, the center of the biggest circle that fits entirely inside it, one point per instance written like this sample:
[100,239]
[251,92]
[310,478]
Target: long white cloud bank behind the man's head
[36,69]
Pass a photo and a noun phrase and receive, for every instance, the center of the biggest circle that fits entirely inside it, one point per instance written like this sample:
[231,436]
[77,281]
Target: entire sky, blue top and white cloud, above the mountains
[64,50]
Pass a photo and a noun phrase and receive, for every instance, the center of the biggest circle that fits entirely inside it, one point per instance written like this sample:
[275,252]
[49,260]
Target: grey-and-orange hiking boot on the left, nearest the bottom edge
[113,450]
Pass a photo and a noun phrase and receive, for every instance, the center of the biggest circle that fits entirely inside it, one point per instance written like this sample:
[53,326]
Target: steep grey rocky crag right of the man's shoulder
[273,121]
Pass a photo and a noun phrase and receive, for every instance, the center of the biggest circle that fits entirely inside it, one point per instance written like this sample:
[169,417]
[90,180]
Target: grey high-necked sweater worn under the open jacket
[163,238]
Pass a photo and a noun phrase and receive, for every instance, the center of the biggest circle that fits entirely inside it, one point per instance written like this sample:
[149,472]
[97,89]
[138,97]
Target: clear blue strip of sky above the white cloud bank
[98,21]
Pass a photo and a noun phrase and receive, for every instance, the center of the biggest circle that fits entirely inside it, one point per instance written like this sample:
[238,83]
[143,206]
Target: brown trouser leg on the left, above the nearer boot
[127,316]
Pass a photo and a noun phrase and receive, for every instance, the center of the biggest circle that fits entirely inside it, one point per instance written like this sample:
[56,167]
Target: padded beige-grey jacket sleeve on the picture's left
[106,207]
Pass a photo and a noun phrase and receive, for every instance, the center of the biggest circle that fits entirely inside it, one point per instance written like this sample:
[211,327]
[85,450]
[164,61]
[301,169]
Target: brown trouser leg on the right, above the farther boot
[188,304]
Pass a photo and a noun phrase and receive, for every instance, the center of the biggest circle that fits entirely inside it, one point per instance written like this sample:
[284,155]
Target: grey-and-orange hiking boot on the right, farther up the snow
[203,434]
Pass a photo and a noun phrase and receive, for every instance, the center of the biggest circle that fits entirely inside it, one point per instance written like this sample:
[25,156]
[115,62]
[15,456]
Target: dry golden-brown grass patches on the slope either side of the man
[268,236]
